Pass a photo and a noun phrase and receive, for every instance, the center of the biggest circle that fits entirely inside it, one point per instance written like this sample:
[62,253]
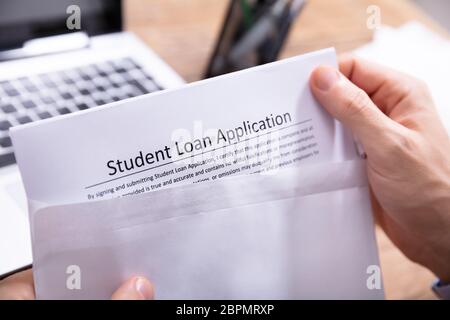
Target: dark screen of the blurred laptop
[22,20]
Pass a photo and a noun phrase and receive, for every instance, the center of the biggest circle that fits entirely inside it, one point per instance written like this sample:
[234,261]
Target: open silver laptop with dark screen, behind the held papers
[58,57]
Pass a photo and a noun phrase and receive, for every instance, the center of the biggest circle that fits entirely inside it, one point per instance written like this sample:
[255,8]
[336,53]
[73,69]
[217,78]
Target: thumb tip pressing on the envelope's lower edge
[136,288]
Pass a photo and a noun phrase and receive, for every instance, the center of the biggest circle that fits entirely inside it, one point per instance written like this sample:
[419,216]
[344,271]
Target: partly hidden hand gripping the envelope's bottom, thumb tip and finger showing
[20,287]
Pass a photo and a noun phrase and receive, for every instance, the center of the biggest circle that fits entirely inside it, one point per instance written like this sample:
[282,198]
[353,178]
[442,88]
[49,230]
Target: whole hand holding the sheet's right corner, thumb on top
[408,153]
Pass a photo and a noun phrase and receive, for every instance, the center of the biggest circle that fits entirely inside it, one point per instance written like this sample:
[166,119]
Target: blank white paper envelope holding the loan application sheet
[300,234]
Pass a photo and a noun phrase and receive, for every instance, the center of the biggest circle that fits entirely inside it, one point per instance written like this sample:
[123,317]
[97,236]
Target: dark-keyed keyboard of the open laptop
[43,96]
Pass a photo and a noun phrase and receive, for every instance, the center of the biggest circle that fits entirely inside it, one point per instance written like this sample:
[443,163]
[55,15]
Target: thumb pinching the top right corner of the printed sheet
[348,104]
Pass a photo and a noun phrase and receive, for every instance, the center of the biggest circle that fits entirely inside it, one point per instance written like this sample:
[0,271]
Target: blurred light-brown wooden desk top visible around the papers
[183,33]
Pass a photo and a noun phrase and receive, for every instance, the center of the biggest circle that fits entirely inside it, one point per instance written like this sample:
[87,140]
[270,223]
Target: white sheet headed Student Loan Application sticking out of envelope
[258,120]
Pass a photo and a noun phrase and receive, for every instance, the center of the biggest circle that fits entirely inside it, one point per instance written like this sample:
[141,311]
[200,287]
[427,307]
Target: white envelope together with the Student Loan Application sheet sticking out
[239,186]
